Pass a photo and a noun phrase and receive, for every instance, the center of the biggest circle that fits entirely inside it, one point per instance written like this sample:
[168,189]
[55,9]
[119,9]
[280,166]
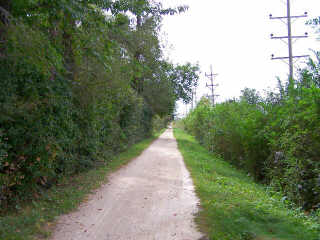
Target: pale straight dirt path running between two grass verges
[152,198]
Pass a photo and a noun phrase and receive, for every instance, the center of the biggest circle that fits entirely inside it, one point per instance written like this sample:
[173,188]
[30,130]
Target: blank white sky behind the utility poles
[234,36]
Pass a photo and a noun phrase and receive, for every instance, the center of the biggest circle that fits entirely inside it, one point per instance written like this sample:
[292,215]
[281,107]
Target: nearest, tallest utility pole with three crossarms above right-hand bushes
[289,17]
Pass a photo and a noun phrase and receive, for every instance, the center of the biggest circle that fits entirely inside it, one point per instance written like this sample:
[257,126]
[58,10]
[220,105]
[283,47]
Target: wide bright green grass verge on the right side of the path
[233,207]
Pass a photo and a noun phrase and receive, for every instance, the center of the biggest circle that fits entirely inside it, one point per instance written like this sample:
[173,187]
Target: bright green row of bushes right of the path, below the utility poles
[275,138]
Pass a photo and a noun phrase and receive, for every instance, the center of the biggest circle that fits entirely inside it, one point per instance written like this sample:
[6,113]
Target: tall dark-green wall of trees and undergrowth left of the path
[80,81]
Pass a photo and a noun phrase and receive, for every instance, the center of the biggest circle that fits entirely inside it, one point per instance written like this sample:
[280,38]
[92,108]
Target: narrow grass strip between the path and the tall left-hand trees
[35,220]
